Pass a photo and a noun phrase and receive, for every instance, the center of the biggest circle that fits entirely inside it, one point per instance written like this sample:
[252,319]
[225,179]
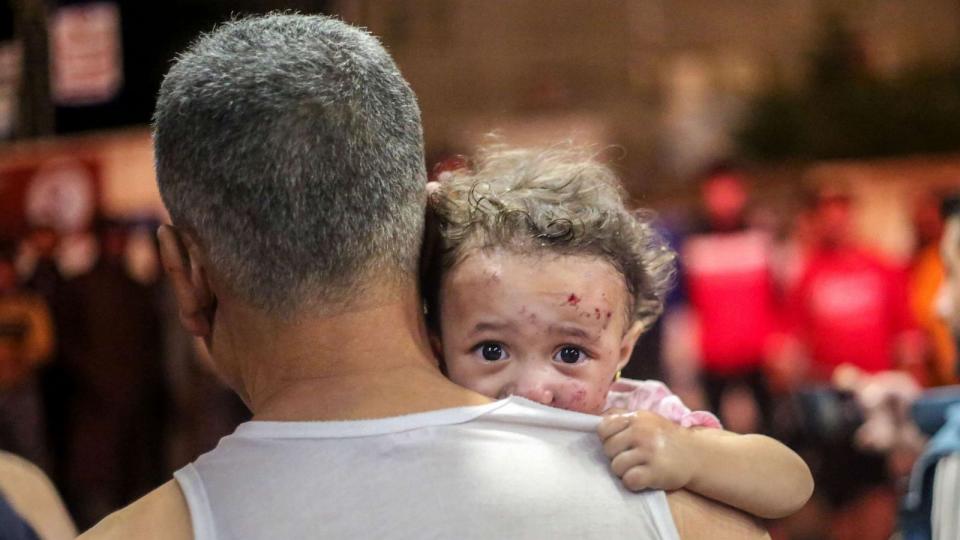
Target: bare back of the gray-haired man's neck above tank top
[370,362]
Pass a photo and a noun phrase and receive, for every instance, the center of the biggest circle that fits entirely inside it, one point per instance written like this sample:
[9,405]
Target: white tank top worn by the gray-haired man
[510,469]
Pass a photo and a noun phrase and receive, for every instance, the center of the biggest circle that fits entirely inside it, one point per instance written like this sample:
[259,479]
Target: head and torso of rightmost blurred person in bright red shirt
[850,304]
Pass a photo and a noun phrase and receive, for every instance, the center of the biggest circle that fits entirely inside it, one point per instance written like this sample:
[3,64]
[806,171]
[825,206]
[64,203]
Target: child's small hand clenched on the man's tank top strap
[647,451]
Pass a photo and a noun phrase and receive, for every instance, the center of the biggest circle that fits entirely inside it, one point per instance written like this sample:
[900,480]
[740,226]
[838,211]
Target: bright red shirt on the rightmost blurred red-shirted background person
[849,306]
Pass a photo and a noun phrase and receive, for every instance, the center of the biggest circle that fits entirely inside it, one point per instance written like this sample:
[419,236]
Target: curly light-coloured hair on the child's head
[559,200]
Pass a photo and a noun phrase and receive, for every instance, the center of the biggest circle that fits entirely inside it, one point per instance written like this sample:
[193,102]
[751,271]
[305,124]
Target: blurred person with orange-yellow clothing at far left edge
[26,341]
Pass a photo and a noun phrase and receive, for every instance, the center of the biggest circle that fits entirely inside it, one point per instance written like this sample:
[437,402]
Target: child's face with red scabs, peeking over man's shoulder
[549,328]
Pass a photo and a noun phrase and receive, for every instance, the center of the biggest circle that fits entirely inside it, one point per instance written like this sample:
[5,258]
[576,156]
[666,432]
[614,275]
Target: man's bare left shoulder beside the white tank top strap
[162,513]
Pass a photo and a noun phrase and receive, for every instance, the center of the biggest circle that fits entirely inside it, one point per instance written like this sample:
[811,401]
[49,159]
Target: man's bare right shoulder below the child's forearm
[698,517]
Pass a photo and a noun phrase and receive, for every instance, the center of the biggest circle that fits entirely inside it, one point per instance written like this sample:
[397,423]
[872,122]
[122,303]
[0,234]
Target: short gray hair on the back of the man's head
[292,148]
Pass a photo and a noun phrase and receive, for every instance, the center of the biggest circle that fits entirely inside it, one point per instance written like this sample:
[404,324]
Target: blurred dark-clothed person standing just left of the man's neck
[111,344]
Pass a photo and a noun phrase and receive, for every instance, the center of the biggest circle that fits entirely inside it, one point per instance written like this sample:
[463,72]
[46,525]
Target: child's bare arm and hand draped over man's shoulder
[754,473]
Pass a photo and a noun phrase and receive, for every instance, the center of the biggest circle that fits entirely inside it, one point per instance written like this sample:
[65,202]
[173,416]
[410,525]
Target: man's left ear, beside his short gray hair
[188,279]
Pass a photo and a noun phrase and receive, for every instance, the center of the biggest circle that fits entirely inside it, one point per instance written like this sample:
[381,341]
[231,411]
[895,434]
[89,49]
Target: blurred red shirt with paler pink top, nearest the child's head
[730,287]
